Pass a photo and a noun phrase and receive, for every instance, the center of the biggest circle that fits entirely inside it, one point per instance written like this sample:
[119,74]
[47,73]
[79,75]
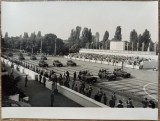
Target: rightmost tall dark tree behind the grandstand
[146,39]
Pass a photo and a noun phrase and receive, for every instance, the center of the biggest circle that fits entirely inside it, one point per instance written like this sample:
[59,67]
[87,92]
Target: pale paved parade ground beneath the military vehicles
[143,83]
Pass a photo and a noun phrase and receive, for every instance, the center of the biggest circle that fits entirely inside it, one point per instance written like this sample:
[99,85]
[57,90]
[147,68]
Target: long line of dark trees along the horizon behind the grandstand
[78,39]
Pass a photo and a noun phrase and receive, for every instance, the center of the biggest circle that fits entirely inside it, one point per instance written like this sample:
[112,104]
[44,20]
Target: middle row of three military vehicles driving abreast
[57,63]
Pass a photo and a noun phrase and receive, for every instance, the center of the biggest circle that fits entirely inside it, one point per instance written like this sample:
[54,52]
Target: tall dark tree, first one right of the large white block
[134,39]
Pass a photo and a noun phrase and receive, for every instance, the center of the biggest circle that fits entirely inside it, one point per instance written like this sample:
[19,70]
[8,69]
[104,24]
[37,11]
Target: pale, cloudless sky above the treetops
[59,17]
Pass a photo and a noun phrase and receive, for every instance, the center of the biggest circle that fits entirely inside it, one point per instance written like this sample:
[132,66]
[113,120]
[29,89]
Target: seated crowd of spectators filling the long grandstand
[130,60]
